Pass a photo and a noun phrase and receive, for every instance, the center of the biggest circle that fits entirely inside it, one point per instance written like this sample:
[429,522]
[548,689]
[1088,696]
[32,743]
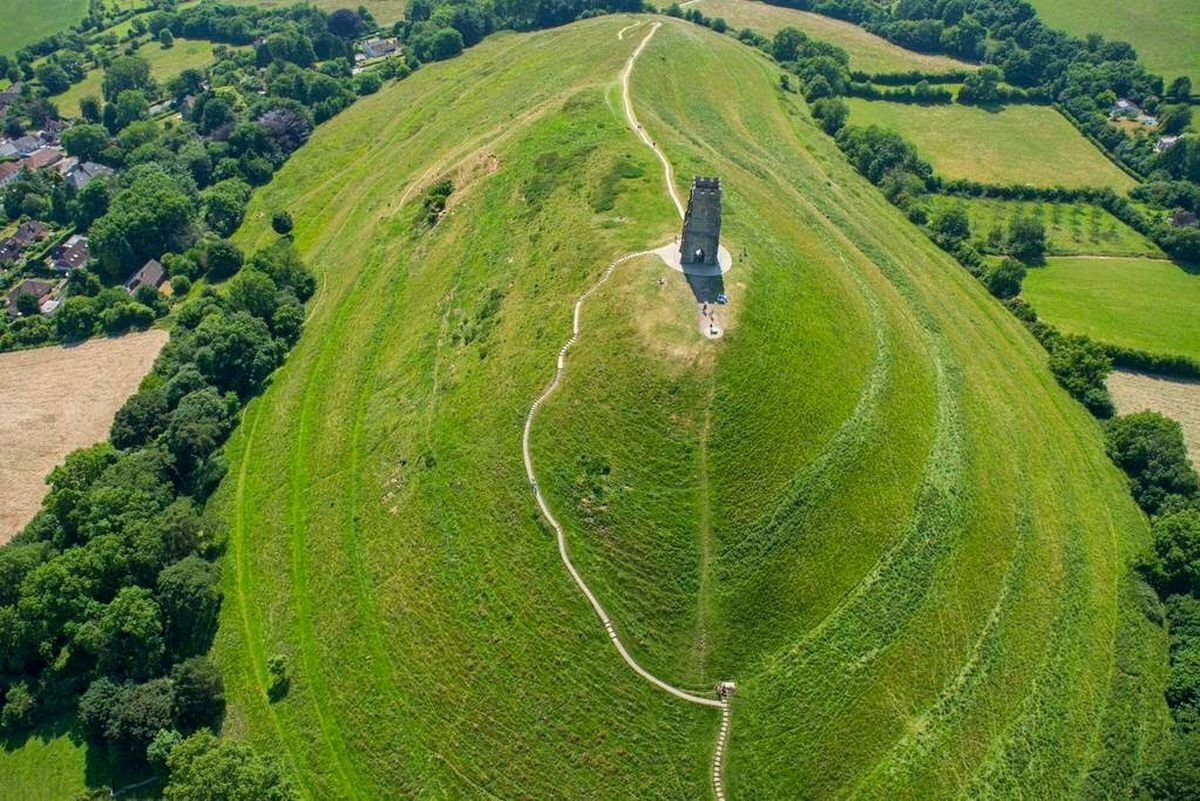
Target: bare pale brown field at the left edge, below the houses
[55,401]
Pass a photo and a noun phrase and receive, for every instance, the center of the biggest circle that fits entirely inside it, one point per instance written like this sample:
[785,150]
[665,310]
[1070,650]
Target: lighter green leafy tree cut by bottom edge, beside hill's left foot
[207,769]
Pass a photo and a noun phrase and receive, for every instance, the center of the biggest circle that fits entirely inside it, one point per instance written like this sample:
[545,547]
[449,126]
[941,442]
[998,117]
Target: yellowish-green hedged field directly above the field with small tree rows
[1018,144]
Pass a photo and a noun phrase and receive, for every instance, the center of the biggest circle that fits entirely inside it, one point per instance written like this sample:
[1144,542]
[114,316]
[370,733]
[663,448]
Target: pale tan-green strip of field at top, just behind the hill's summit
[868,52]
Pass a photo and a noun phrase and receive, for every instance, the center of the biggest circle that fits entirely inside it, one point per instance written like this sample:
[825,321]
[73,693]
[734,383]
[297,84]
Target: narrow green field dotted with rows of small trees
[1072,228]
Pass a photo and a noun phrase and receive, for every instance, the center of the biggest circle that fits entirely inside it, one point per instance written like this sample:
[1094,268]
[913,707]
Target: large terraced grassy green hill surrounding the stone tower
[868,503]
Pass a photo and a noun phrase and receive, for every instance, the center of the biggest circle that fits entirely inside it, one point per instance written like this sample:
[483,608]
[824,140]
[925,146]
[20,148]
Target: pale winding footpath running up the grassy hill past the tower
[722,702]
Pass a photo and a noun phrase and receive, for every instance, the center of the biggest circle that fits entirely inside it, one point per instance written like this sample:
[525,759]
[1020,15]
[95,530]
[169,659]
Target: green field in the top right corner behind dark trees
[1166,33]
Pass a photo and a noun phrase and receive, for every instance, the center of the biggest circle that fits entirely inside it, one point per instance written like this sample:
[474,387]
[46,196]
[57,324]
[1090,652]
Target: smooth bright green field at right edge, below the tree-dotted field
[1147,304]
